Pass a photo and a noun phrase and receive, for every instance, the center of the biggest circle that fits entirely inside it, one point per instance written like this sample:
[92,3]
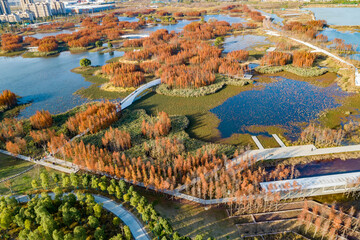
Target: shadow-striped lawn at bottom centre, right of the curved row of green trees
[191,219]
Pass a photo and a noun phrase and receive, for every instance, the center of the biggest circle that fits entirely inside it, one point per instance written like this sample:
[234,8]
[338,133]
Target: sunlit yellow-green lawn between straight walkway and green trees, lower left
[22,183]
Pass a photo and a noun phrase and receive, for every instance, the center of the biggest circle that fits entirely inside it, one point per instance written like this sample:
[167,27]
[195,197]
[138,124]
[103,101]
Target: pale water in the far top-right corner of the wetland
[342,16]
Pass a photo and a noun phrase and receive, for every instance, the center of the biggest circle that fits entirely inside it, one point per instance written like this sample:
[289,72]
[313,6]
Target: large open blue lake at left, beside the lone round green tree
[48,82]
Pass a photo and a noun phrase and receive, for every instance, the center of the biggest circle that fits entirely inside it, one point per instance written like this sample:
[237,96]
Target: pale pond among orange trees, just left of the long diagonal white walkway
[238,42]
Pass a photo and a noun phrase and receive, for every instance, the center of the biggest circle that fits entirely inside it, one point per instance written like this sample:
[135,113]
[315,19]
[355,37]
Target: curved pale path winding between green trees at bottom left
[137,229]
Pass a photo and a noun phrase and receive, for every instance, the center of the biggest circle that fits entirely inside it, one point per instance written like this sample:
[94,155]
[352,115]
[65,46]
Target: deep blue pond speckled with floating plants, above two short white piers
[285,102]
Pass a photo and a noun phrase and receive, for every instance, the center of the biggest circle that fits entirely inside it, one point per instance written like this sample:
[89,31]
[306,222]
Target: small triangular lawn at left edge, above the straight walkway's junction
[10,166]
